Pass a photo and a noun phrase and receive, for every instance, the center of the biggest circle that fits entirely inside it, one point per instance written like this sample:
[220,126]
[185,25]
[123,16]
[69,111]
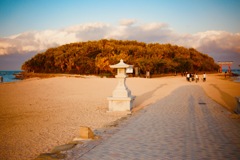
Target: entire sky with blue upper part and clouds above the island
[28,27]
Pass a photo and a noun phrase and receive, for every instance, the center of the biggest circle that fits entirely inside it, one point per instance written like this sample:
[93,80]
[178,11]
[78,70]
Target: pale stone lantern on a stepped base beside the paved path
[121,100]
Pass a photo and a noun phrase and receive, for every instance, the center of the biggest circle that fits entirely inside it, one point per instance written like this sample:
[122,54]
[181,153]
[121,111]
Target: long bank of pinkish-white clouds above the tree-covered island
[207,42]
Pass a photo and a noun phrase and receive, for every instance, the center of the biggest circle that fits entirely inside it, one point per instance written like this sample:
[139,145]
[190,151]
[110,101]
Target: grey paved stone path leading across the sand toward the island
[184,125]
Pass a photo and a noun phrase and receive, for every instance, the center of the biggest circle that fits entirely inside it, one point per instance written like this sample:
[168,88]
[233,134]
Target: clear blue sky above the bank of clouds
[184,16]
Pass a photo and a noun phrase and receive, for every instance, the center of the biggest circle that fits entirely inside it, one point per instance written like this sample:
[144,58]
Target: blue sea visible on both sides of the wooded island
[9,76]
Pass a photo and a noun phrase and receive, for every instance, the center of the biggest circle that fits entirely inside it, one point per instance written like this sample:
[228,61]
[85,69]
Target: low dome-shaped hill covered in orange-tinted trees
[94,57]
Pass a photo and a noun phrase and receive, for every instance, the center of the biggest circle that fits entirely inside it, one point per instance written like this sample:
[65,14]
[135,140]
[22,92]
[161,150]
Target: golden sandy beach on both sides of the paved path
[38,114]
